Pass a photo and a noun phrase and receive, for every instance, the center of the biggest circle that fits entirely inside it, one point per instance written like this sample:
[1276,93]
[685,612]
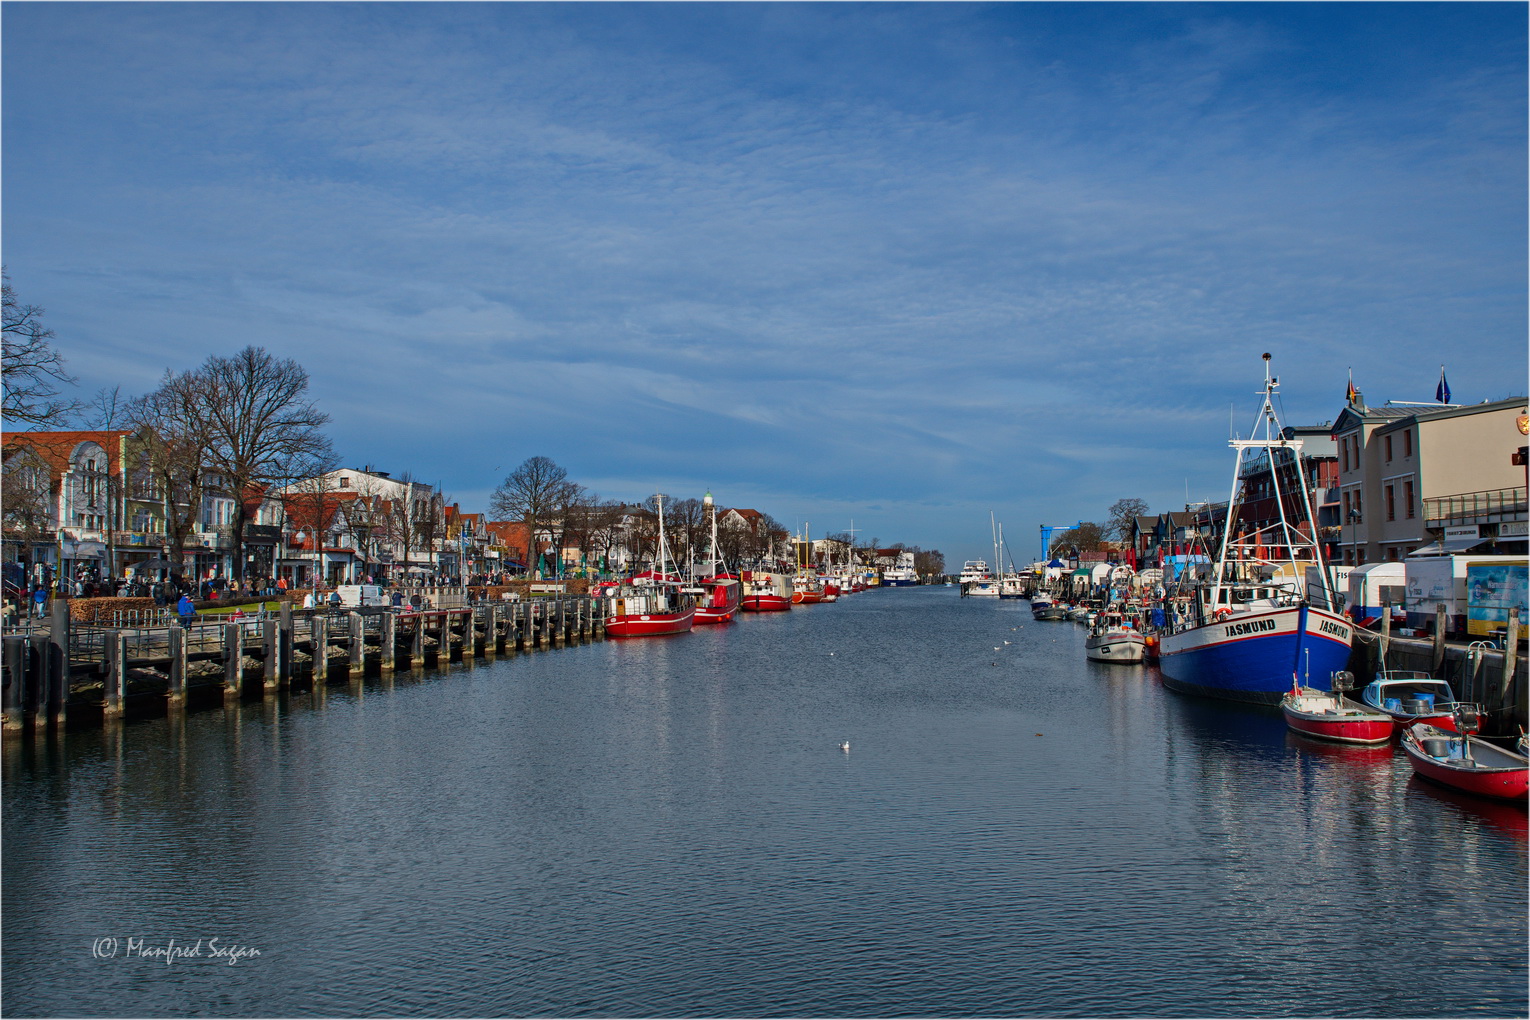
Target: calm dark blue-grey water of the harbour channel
[669,828]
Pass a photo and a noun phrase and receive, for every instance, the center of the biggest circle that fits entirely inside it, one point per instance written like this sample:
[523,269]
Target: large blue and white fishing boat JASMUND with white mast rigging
[1248,631]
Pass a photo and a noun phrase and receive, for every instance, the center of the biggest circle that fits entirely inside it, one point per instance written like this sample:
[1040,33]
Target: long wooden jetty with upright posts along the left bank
[91,672]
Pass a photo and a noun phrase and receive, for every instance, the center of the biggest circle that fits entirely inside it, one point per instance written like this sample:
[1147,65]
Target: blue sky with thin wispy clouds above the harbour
[905,265]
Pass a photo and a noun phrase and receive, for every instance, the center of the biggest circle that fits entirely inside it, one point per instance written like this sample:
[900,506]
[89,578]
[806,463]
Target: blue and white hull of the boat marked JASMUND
[1257,657]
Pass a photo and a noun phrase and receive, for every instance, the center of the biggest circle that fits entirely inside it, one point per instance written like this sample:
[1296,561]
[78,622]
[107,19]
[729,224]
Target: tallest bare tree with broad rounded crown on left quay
[259,420]
